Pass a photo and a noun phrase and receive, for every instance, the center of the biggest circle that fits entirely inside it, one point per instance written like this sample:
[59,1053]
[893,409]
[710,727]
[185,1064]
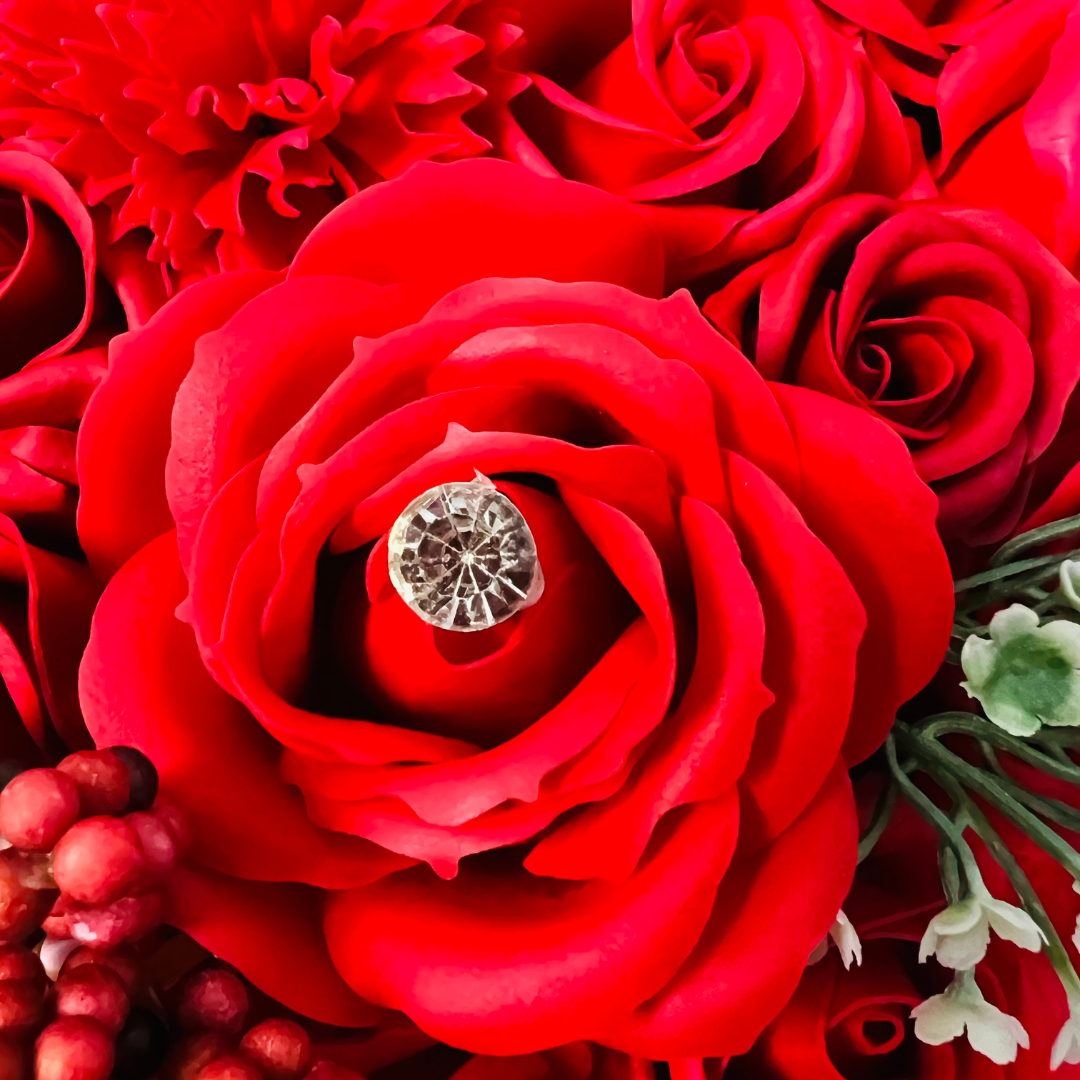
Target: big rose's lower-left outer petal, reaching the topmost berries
[144,685]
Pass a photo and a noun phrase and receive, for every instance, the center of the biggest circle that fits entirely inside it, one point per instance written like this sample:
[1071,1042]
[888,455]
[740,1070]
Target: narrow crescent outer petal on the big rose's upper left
[123,502]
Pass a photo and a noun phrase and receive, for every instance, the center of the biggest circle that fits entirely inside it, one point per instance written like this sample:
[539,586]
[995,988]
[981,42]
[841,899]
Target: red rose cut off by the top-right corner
[1010,136]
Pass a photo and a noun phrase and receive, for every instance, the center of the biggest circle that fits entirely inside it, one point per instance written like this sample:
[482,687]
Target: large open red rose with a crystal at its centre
[623,816]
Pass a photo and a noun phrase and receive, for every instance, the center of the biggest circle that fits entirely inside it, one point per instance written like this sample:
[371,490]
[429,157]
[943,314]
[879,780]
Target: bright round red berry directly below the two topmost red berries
[98,860]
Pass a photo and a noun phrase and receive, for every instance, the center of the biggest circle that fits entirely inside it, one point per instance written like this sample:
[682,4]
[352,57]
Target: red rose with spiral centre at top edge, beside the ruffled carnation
[728,121]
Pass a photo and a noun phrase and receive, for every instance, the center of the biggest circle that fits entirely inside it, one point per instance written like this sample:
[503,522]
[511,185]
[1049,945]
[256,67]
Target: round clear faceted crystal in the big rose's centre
[463,557]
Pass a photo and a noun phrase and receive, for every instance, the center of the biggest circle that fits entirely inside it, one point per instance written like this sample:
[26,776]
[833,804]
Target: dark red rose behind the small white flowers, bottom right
[847,1025]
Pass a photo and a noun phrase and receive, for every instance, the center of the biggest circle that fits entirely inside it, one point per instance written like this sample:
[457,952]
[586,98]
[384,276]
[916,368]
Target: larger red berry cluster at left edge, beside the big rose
[86,846]
